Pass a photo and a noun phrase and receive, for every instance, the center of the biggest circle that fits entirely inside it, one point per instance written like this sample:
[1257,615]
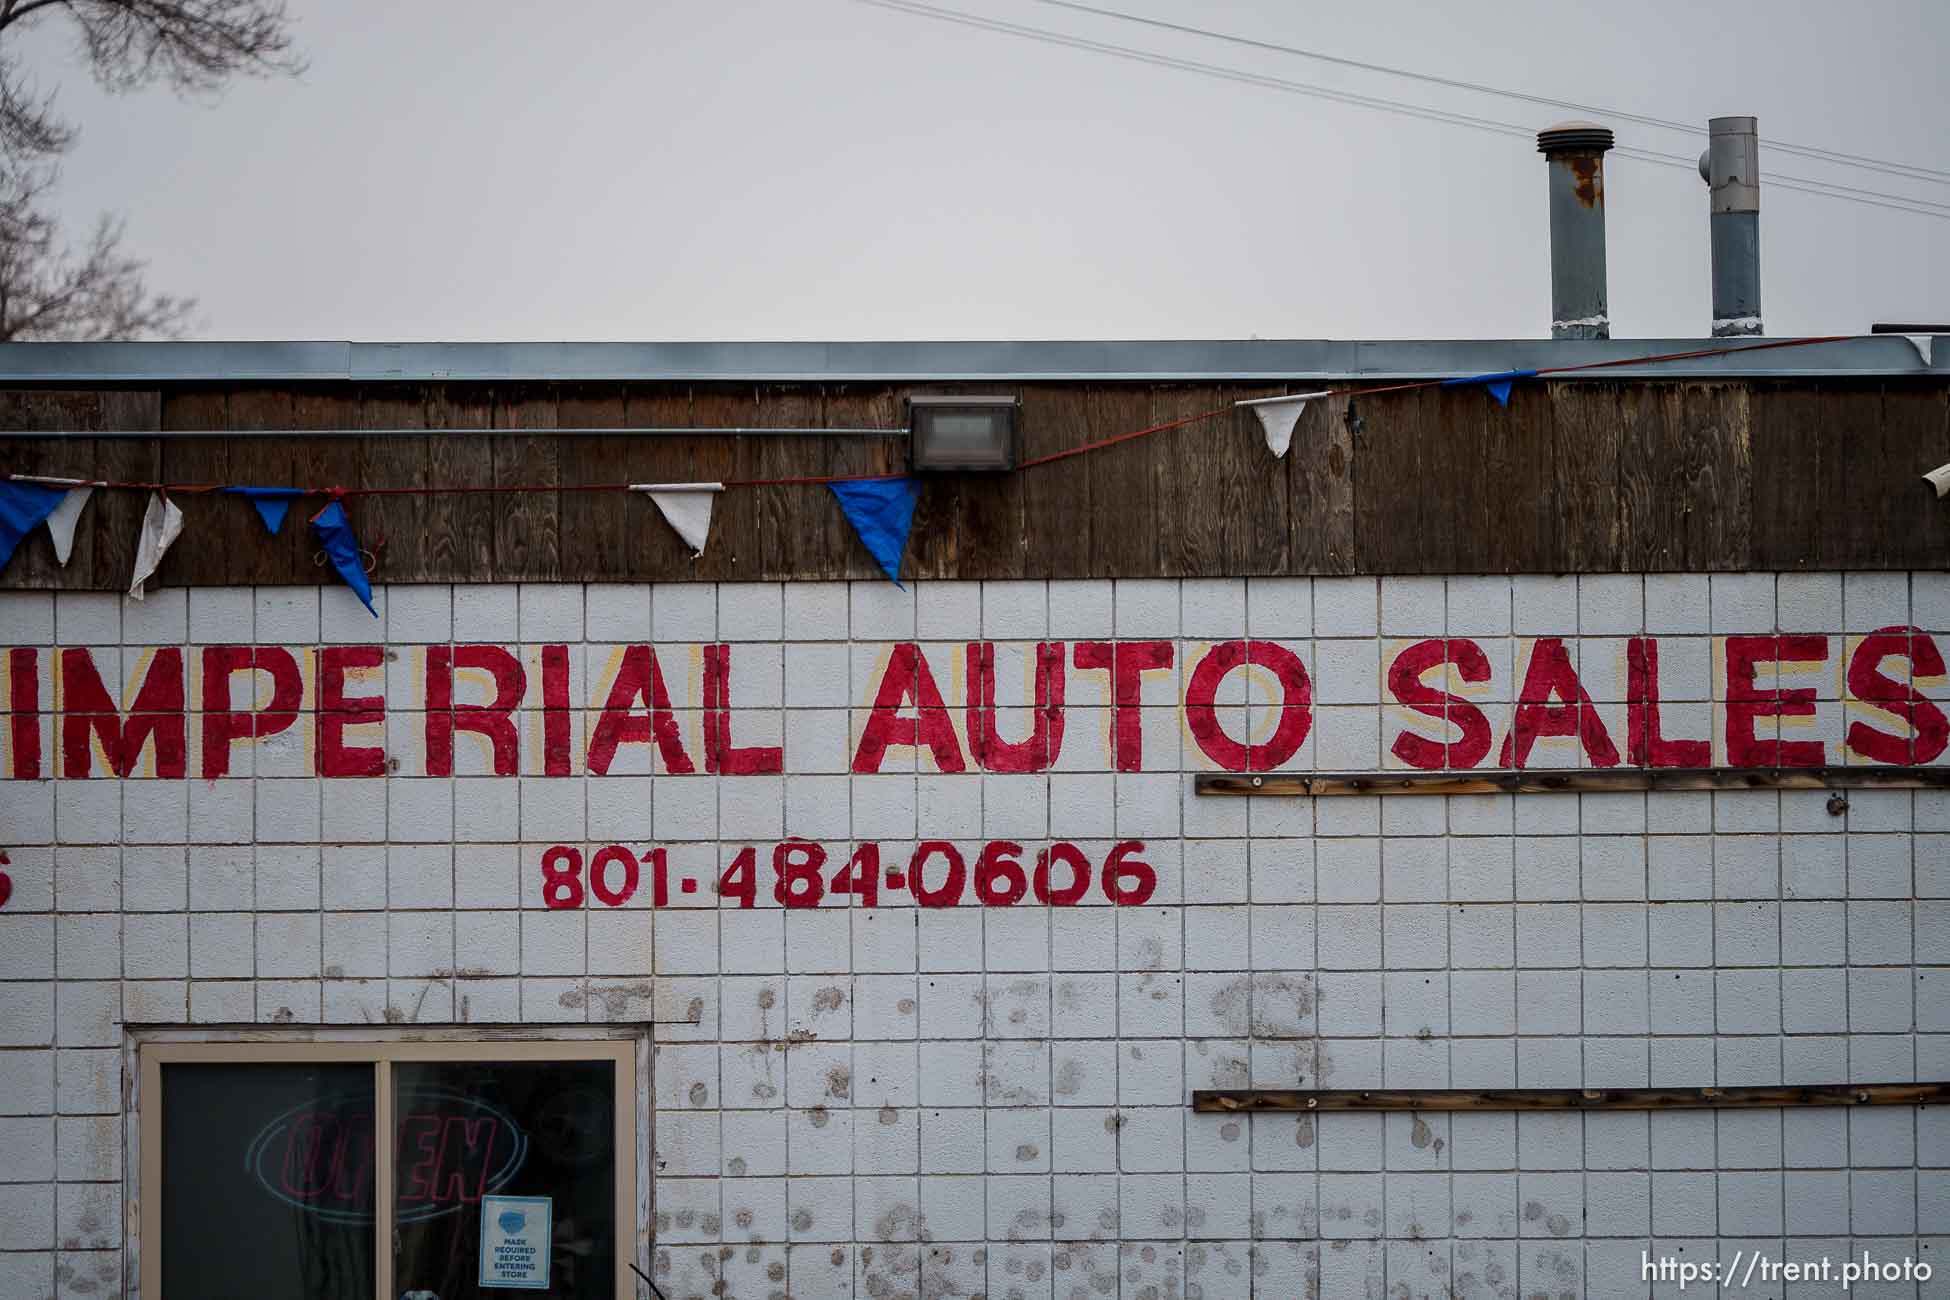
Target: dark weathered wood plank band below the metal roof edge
[1571,477]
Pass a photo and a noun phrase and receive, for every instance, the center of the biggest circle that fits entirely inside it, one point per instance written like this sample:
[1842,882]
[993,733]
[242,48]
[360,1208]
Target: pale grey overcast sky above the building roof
[832,171]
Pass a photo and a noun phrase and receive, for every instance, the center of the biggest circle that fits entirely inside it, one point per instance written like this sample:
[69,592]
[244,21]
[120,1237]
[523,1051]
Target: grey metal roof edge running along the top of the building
[935,362]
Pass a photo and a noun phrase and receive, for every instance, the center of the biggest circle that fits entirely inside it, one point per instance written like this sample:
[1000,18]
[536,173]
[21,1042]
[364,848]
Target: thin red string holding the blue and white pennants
[828,480]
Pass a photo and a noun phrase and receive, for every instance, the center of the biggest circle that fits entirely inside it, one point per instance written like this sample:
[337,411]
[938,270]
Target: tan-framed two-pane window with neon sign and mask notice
[510,1168]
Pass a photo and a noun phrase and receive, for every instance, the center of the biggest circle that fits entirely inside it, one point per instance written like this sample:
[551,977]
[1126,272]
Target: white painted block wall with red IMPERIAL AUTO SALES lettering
[994,1100]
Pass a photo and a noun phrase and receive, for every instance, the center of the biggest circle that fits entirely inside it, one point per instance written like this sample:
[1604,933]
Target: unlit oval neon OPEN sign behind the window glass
[451,1153]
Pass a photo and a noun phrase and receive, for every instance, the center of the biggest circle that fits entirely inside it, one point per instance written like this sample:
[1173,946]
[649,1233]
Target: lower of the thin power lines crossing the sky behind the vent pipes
[1898,204]
